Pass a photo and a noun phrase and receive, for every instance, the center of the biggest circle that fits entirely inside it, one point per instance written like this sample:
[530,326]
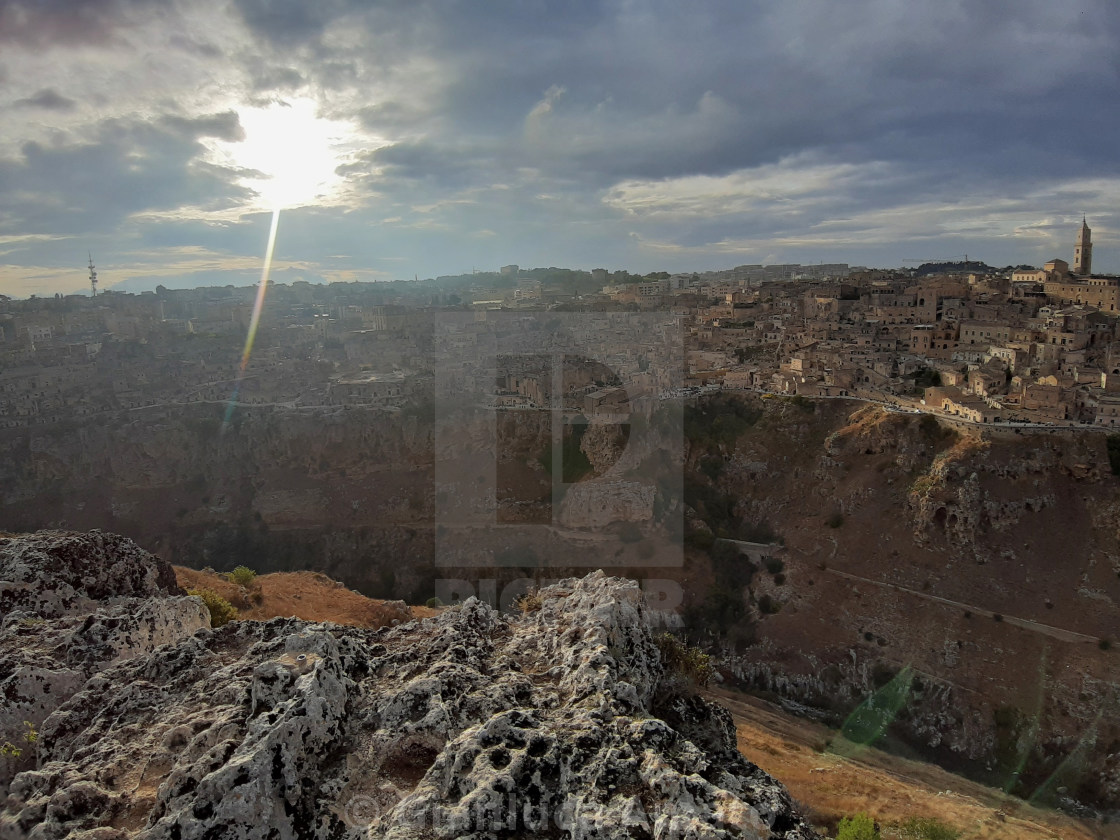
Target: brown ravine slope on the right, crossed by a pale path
[987,563]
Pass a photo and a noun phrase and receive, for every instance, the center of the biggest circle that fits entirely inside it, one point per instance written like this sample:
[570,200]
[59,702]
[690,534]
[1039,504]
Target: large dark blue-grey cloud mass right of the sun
[856,81]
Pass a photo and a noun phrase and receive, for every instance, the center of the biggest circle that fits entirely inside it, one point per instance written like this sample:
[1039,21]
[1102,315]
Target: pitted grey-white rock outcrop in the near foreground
[558,723]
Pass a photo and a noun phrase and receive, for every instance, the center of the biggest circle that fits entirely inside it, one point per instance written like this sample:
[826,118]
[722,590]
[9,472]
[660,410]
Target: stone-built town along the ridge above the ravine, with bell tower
[968,342]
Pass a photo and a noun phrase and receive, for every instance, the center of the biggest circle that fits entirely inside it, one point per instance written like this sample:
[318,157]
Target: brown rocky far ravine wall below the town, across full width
[988,562]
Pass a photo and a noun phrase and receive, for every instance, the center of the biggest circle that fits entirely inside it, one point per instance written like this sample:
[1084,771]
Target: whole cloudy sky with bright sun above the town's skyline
[404,138]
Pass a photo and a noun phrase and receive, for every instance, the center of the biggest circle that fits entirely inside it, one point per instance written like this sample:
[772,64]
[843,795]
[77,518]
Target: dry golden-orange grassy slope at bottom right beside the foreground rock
[891,789]
